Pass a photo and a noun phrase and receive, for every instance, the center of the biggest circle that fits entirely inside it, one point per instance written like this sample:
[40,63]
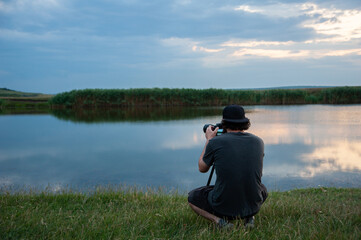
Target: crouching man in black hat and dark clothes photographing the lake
[238,159]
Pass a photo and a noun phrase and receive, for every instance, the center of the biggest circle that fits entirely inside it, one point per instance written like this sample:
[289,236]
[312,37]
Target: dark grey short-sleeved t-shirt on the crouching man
[238,159]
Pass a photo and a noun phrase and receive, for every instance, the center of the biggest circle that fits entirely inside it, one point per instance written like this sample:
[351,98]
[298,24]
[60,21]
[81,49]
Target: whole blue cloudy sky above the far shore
[51,46]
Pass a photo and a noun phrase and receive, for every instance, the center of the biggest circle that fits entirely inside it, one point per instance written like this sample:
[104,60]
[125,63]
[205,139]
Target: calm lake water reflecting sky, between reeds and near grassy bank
[305,146]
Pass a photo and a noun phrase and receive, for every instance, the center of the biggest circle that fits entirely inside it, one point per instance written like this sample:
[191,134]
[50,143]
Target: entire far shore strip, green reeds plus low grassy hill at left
[20,102]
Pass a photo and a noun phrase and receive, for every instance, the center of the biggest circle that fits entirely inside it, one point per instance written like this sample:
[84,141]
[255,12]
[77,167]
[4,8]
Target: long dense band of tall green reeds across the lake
[205,97]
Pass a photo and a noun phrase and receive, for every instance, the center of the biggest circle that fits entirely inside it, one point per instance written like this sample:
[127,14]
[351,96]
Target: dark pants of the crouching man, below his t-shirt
[199,197]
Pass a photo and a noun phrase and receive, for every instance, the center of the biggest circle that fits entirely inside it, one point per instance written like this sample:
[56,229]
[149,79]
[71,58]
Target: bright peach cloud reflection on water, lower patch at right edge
[339,156]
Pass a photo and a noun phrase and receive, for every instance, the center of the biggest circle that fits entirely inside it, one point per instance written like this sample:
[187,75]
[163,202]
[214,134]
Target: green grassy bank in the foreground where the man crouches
[300,214]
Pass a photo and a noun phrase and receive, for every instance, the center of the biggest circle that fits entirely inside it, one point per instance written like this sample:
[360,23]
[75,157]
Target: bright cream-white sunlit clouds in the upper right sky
[337,34]
